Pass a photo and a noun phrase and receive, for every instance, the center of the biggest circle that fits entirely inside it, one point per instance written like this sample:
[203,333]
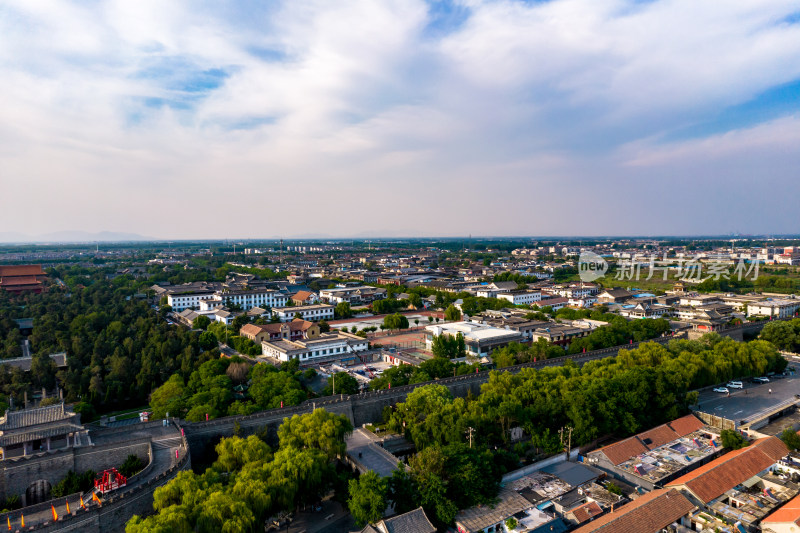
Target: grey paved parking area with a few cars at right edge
[751,401]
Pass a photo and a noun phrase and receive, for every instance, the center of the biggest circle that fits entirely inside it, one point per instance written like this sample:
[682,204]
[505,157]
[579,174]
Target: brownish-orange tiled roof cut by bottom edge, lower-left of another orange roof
[646,514]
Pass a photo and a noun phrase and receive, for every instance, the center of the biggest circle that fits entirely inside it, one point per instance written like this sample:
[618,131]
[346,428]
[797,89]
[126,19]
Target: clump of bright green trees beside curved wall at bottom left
[250,482]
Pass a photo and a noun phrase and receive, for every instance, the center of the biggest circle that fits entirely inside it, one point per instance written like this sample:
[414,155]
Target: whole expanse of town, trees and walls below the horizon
[473,385]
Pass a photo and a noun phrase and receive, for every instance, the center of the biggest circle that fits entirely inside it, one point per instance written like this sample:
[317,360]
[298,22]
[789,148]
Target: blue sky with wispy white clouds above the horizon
[263,119]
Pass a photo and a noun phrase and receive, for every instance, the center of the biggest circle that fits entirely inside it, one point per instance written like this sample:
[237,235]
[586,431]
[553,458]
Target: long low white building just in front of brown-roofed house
[327,345]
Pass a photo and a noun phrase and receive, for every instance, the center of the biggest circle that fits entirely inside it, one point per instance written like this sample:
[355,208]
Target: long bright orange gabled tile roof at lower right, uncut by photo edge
[713,479]
